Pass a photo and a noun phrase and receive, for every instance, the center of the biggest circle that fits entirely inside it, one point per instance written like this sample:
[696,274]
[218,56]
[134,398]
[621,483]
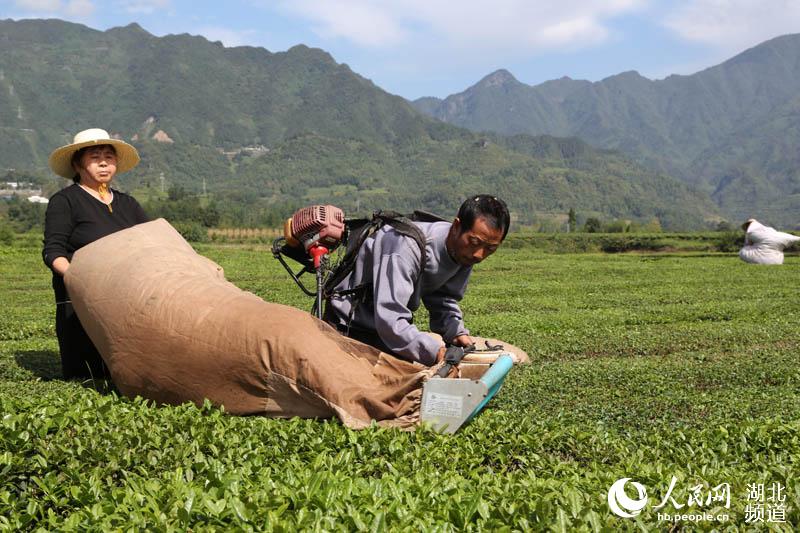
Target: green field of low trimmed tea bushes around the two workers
[645,366]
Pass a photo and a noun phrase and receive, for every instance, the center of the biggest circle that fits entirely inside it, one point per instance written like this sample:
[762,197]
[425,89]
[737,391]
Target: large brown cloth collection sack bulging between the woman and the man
[172,329]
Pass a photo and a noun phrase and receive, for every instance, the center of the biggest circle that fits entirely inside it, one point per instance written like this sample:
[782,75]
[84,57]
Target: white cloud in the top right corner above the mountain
[734,24]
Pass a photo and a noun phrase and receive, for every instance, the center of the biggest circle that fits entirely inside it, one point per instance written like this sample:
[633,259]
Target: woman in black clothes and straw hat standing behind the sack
[80,214]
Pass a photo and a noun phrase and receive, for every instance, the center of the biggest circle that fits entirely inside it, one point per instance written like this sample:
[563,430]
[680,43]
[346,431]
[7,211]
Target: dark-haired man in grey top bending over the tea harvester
[390,265]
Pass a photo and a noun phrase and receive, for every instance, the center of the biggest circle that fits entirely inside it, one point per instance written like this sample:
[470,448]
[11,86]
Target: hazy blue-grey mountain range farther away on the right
[731,130]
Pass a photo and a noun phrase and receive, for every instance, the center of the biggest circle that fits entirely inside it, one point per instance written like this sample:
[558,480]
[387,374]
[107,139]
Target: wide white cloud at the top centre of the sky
[529,25]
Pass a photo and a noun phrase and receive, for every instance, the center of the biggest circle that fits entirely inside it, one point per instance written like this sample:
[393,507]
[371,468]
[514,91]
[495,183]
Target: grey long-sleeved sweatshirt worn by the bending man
[392,262]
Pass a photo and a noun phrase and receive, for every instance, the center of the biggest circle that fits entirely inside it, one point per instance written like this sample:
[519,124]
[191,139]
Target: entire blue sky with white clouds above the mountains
[435,48]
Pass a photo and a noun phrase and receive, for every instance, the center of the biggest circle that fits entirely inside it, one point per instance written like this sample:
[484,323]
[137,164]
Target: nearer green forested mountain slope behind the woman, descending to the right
[266,132]
